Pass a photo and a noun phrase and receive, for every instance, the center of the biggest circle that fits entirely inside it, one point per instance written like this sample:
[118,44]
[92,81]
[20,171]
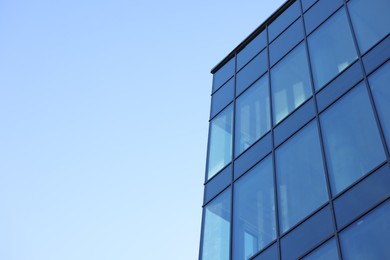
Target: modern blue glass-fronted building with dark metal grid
[299,138]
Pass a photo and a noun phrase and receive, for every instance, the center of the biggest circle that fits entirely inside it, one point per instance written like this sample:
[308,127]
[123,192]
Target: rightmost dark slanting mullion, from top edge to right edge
[372,102]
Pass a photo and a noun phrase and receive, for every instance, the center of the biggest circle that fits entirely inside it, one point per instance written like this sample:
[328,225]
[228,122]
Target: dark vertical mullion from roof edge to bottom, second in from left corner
[279,250]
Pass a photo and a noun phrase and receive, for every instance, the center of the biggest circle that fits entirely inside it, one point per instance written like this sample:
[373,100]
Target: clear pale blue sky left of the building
[104,111]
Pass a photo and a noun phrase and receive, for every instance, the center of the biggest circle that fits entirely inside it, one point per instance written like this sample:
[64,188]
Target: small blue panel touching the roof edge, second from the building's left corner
[254,47]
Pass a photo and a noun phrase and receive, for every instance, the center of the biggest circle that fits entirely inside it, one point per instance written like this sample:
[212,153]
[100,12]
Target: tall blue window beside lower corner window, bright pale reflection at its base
[254,224]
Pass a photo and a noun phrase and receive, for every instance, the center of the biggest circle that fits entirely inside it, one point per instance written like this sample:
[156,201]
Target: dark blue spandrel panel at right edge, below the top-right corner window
[377,55]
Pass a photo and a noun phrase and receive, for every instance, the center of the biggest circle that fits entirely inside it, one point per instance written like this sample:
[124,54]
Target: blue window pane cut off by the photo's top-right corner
[370,20]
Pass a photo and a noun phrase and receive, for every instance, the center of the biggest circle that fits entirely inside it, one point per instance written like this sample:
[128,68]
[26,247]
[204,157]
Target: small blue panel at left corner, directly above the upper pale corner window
[222,97]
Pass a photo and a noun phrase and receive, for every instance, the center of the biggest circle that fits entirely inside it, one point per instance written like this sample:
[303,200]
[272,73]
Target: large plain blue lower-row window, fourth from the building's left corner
[351,138]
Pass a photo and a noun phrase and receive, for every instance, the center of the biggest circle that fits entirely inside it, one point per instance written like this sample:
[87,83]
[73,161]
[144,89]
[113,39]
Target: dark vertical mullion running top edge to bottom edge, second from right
[321,140]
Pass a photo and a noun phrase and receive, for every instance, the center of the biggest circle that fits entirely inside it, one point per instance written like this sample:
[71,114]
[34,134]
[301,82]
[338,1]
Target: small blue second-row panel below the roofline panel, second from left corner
[251,72]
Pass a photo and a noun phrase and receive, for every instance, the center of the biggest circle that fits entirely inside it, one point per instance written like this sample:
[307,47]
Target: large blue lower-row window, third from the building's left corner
[297,160]
